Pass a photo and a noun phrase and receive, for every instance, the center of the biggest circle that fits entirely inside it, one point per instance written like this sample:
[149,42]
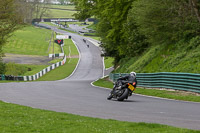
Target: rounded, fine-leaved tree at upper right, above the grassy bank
[165,21]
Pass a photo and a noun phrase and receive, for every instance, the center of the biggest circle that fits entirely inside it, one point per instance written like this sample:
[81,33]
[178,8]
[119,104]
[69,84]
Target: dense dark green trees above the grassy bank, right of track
[128,27]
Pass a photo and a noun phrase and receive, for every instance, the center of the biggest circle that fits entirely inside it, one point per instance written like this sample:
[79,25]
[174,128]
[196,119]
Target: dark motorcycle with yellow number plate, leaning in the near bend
[121,92]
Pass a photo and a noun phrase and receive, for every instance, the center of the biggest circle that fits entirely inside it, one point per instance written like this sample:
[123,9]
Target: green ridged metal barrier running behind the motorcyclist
[177,81]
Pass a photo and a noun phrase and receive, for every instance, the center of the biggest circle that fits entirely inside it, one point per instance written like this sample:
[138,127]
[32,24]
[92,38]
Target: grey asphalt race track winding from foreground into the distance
[76,95]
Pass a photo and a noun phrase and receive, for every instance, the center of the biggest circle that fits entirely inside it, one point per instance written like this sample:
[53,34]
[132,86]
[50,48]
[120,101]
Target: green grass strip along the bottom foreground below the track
[21,119]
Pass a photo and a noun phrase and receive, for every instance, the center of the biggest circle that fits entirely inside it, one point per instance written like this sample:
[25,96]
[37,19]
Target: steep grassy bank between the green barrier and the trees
[180,57]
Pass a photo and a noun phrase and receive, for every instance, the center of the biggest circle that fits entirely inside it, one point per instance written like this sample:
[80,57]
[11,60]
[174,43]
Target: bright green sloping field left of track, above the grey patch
[29,41]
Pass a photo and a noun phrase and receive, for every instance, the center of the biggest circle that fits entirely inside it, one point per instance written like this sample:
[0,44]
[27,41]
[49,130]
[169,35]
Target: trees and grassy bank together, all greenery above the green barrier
[148,35]
